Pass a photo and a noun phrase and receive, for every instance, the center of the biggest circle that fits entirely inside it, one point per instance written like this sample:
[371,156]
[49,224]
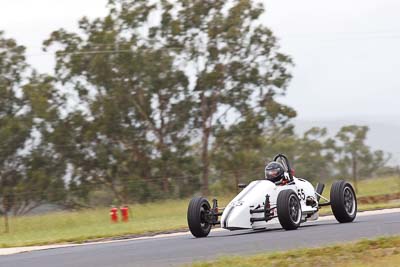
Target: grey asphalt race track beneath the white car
[183,248]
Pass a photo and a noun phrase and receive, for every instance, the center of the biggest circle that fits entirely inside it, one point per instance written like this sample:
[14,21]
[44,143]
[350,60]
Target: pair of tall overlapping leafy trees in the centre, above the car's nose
[150,96]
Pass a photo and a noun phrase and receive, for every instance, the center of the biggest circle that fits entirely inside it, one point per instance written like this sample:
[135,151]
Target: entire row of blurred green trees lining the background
[169,98]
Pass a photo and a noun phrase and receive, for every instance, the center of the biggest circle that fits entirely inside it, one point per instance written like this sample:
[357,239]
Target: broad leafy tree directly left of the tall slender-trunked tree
[131,134]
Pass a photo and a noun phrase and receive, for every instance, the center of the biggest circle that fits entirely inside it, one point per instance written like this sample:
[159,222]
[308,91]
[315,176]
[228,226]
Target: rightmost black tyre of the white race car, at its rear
[343,202]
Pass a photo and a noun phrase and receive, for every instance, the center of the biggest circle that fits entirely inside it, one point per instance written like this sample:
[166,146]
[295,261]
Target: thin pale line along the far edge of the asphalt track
[9,251]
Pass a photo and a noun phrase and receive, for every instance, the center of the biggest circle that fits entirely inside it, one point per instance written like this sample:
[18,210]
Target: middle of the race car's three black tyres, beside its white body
[289,209]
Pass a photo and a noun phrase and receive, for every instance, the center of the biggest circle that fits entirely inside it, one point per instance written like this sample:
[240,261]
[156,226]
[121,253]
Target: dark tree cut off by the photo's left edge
[15,124]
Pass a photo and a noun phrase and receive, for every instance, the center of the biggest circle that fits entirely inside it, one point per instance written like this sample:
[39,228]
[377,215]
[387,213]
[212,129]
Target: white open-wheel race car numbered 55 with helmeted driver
[287,199]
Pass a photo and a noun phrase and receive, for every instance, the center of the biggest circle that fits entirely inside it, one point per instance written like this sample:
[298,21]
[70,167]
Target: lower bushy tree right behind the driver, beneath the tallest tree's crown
[242,149]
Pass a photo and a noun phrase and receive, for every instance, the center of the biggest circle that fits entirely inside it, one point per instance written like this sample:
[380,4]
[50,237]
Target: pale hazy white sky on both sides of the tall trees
[347,53]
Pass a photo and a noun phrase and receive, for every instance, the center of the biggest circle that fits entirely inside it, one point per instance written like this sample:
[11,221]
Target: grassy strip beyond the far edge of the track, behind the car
[61,227]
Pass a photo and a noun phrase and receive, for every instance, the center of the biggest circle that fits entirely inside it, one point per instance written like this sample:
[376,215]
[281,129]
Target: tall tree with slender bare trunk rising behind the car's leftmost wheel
[231,60]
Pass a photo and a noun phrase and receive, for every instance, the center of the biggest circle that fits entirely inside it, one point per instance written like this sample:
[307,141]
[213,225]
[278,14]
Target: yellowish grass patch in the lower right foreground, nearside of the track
[377,252]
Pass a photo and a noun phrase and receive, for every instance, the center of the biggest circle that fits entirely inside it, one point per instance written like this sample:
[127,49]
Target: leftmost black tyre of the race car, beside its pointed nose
[197,210]
